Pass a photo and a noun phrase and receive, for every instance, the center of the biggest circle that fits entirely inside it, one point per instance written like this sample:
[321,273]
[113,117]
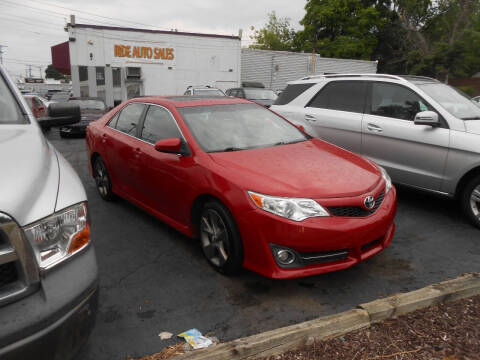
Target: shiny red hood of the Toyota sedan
[313,169]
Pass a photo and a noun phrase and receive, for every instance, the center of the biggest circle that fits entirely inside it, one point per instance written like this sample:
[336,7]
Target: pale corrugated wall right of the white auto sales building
[275,68]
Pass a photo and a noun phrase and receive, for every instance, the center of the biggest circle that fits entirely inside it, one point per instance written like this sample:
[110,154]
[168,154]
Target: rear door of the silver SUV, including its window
[335,113]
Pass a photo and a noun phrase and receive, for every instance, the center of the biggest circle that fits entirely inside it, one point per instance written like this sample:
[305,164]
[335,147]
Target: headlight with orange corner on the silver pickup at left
[60,235]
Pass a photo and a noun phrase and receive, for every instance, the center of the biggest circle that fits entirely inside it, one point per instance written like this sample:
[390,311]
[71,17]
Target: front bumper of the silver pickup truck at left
[54,322]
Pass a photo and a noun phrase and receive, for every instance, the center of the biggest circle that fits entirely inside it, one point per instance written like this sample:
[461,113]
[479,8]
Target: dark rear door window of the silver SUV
[341,95]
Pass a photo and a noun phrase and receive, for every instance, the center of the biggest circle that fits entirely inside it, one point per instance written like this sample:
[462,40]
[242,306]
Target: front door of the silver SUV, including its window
[412,154]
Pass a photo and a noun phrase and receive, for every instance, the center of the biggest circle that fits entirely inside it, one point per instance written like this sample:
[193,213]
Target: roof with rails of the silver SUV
[401,78]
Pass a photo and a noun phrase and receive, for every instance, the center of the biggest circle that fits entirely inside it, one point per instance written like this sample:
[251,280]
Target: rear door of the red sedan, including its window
[121,150]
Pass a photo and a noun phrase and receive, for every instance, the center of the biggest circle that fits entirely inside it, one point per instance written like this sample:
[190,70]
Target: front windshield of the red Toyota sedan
[234,127]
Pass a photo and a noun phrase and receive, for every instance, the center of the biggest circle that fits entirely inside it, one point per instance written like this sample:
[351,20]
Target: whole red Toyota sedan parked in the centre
[257,191]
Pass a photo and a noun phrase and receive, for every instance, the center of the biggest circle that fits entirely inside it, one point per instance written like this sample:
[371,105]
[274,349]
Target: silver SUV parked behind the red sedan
[424,133]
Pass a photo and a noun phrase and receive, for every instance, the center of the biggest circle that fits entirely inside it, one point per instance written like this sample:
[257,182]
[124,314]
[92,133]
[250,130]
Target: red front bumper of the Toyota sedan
[360,237]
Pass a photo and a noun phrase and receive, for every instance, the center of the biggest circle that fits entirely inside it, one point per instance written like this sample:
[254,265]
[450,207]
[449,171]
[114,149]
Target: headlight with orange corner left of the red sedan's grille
[290,208]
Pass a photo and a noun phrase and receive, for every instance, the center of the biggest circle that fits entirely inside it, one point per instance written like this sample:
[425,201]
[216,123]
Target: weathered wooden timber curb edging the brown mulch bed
[288,338]
